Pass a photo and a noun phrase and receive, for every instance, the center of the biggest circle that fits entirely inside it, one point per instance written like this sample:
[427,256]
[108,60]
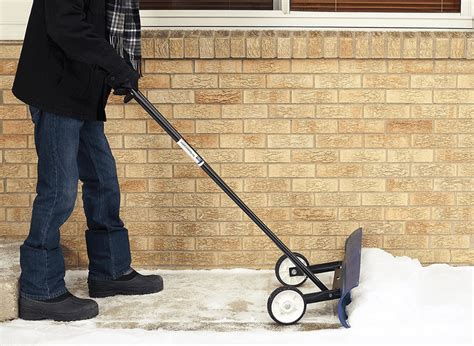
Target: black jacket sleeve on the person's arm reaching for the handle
[67,27]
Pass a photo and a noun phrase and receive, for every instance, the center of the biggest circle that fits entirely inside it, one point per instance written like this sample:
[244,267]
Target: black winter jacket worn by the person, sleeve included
[66,58]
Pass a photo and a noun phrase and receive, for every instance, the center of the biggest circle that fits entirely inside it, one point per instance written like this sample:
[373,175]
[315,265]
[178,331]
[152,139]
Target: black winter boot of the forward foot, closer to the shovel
[131,283]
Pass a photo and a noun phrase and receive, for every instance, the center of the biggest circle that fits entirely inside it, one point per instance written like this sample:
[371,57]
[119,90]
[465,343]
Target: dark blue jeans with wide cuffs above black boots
[68,150]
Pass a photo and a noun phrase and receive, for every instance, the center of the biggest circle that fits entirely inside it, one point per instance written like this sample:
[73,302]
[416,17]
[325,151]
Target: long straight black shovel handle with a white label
[164,123]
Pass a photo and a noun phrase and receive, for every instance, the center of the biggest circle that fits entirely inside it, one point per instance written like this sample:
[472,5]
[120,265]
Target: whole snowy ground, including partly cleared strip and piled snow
[398,301]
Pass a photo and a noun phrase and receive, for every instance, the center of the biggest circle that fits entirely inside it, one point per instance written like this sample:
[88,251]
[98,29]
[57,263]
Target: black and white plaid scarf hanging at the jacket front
[123,27]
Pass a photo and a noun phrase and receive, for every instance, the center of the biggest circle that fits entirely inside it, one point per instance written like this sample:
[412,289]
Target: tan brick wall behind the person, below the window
[319,132]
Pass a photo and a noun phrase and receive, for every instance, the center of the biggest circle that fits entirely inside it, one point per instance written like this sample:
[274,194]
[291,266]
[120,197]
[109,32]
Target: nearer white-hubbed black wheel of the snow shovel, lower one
[286,305]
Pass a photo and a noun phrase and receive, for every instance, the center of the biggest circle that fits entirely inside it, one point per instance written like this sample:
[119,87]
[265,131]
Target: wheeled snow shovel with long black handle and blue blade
[287,304]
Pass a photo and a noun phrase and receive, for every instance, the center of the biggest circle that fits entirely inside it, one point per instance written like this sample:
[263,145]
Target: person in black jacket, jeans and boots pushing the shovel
[74,53]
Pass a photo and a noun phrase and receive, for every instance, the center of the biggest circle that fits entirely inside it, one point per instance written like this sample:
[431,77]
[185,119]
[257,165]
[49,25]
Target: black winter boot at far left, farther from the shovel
[63,308]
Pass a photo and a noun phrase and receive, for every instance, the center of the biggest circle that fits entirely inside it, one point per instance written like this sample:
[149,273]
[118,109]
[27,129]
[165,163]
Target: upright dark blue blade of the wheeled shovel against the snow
[350,273]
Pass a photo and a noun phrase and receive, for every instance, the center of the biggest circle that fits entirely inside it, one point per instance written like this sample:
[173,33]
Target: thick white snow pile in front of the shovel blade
[399,294]
